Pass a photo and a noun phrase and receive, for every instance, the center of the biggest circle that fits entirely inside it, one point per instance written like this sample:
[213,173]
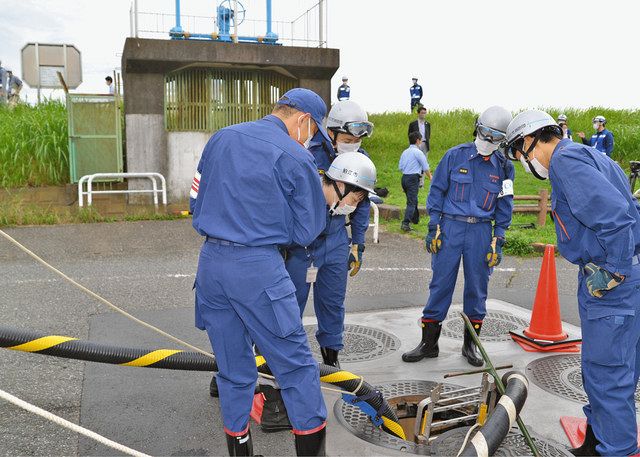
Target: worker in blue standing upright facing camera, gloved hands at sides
[469,204]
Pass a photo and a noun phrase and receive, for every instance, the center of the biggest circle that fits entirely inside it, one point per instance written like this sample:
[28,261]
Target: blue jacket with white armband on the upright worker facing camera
[465,184]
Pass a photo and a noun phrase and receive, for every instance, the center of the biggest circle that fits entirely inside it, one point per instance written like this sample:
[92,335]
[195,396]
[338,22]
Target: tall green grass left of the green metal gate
[34,145]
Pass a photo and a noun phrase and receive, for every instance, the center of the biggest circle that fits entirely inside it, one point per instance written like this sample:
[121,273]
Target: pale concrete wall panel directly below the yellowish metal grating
[184,150]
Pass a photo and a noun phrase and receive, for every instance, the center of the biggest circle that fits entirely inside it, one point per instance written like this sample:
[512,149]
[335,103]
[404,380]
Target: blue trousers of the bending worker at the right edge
[611,363]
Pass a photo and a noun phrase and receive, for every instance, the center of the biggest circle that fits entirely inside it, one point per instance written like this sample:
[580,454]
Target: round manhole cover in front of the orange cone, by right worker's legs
[561,375]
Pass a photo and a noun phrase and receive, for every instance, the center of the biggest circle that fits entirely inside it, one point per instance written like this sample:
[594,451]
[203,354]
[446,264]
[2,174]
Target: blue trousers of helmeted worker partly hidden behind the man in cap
[330,254]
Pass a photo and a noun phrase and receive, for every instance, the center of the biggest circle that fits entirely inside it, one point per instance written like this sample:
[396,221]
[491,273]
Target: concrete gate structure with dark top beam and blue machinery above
[145,63]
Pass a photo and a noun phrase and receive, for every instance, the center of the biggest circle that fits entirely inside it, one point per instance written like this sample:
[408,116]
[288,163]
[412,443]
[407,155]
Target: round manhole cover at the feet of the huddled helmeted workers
[360,343]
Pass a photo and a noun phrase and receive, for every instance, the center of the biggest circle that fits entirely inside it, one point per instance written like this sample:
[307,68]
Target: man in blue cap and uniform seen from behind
[257,188]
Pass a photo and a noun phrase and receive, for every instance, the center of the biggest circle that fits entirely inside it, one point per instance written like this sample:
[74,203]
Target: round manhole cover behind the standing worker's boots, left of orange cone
[496,325]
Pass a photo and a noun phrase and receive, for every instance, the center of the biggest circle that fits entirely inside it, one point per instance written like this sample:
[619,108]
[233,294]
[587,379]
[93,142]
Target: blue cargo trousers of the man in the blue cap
[243,296]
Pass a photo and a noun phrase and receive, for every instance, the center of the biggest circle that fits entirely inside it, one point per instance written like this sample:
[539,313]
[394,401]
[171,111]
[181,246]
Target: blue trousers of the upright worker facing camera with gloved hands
[471,242]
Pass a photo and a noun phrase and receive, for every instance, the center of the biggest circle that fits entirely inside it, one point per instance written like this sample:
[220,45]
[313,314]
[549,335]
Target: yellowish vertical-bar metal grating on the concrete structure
[208,99]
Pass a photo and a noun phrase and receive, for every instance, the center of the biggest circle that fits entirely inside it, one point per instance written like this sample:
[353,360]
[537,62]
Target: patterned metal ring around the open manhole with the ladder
[360,425]
